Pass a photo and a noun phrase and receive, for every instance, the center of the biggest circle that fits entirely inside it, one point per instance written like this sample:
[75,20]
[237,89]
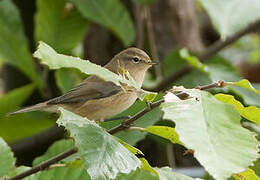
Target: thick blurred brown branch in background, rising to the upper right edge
[211,51]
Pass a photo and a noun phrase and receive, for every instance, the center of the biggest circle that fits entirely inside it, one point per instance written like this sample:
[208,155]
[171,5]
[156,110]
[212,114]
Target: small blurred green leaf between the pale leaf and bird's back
[66,79]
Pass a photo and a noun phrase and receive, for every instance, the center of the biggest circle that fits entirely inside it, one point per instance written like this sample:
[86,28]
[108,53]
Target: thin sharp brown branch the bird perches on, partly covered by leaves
[125,125]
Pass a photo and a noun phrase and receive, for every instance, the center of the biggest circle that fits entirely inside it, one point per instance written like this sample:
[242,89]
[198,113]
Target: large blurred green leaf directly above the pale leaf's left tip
[59,24]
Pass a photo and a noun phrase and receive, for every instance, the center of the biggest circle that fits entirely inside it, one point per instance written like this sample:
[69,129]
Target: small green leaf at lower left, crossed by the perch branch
[55,149]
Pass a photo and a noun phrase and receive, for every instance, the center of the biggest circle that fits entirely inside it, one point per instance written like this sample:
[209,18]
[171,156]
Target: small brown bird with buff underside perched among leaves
[97,99]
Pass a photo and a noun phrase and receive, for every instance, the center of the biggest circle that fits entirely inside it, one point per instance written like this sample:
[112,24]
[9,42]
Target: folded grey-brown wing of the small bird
[91,88]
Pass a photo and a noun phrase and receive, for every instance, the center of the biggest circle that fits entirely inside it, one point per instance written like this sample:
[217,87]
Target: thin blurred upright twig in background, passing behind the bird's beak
[152,42]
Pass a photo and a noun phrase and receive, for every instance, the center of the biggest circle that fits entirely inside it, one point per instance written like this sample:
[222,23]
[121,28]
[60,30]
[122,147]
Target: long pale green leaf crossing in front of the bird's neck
[50,57]
